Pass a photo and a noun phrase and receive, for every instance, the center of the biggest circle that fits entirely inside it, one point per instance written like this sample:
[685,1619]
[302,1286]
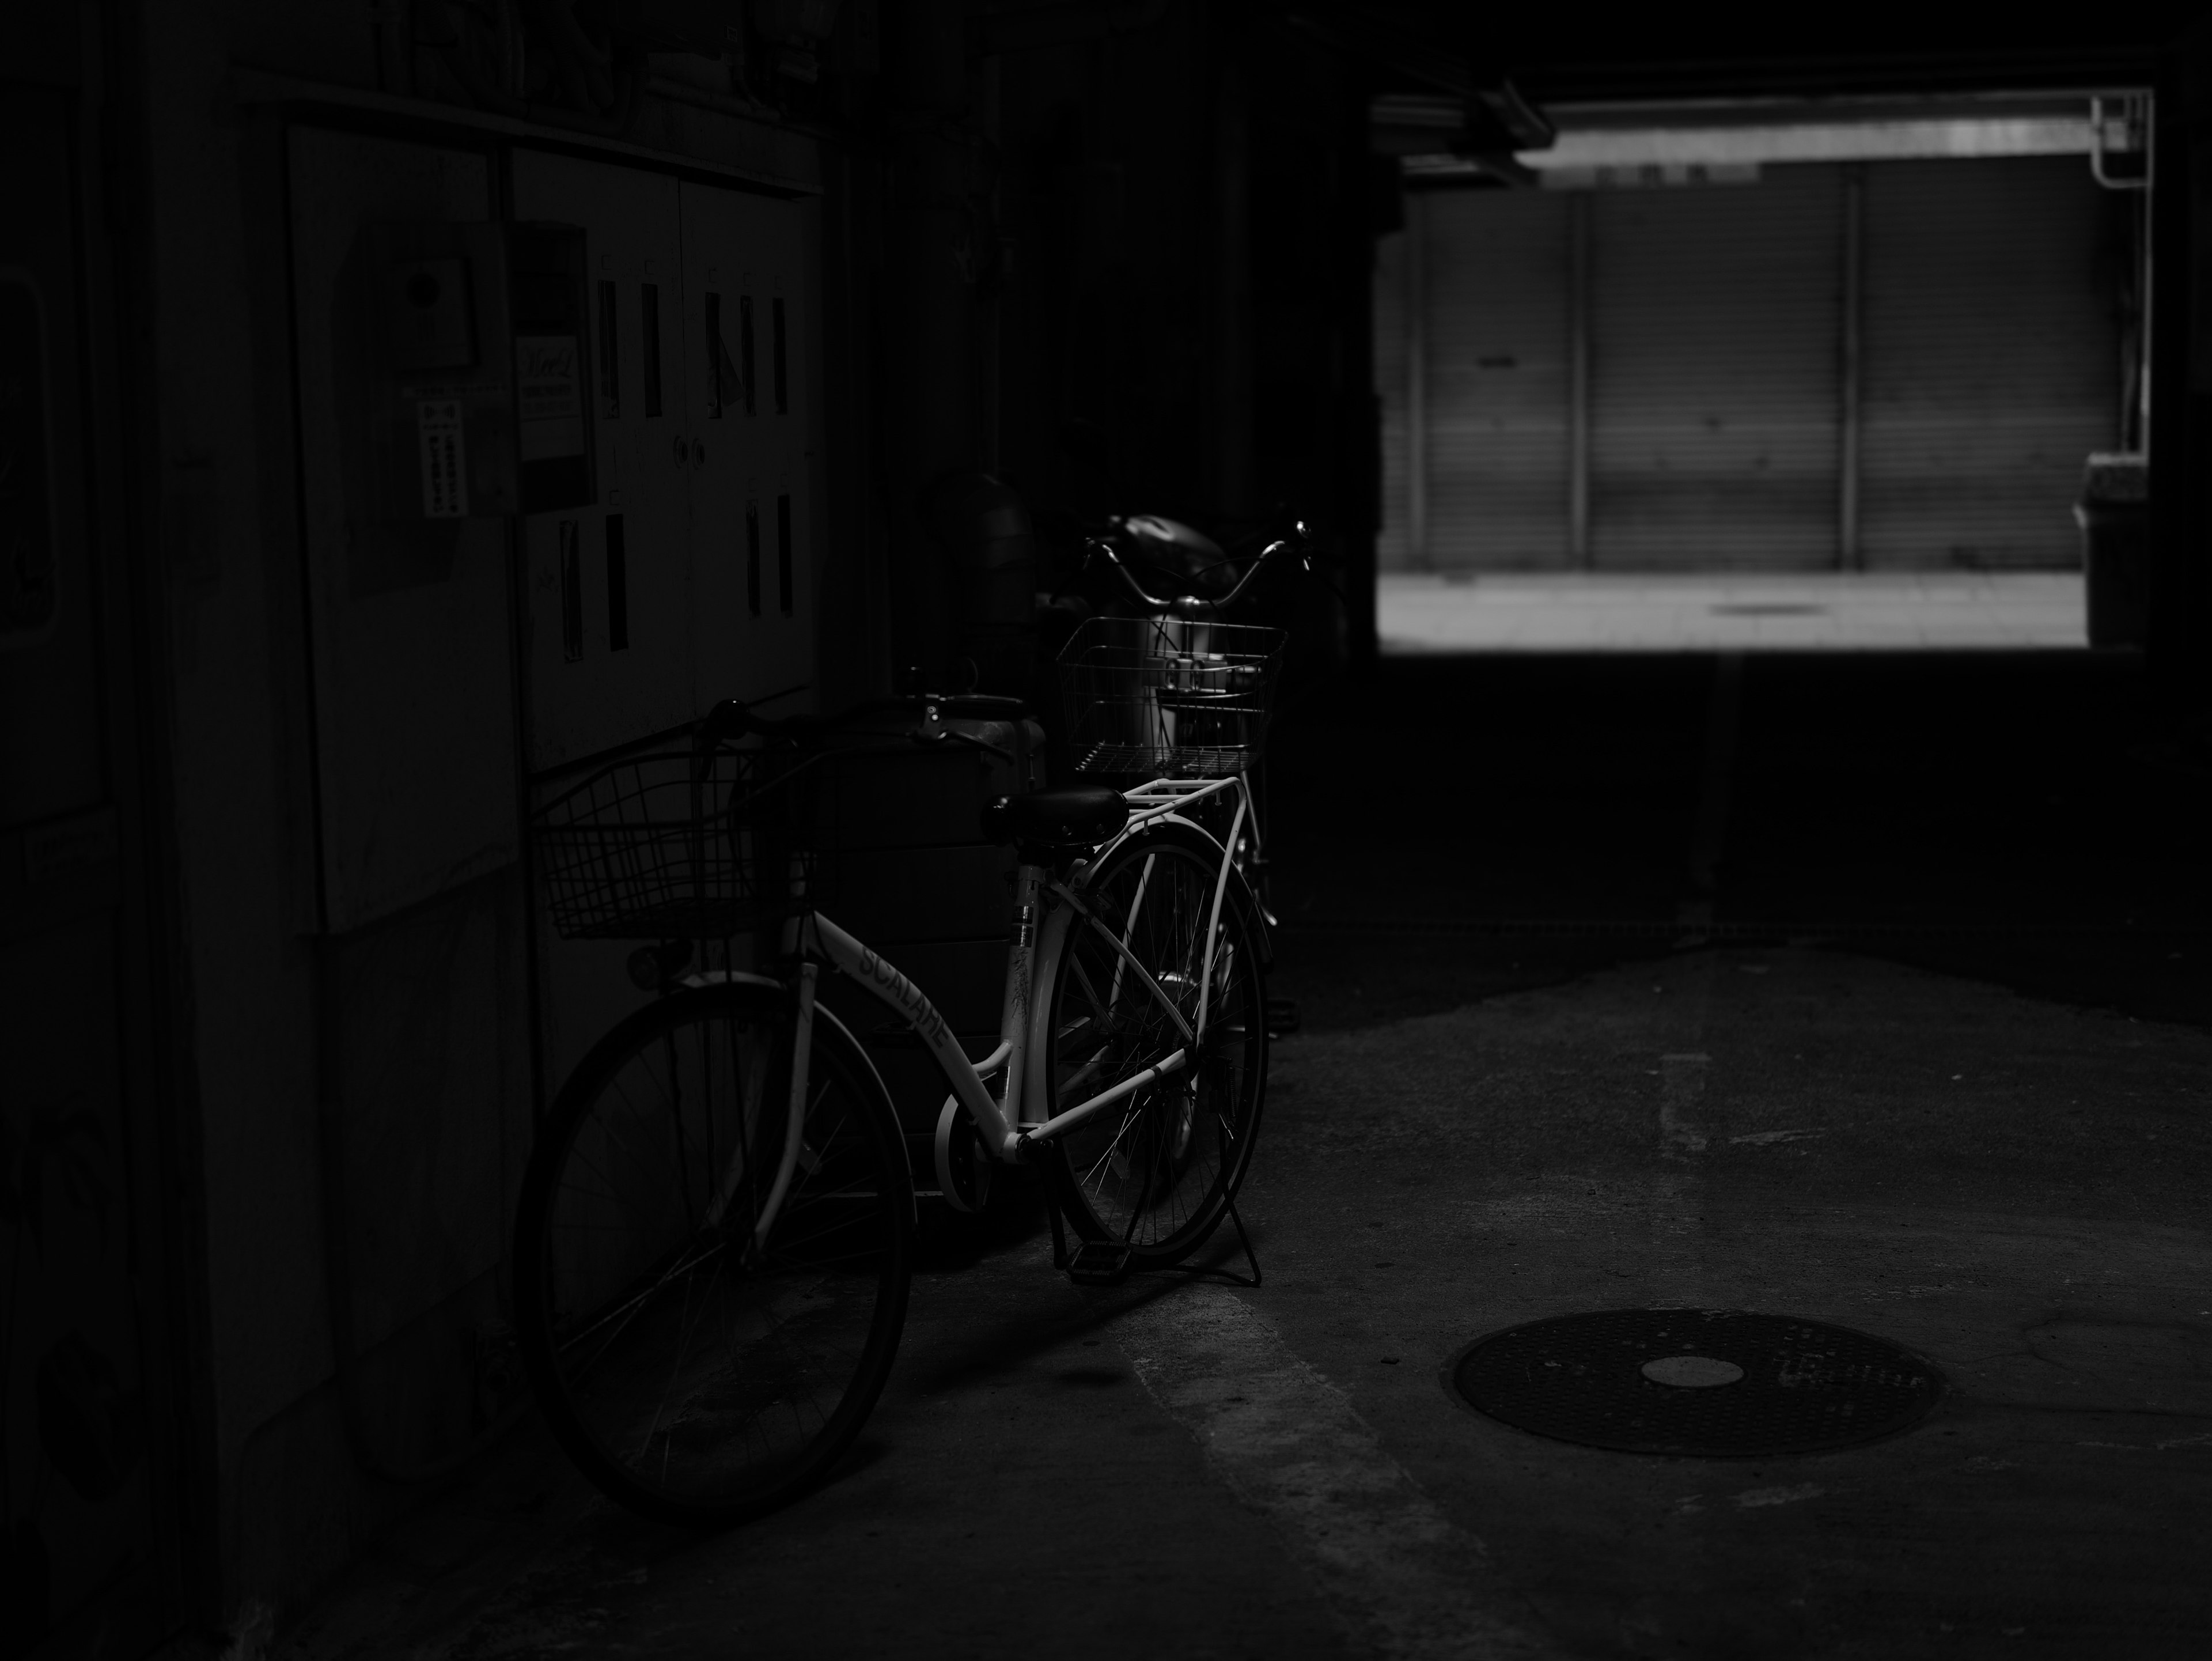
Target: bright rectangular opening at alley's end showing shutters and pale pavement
[1768,379]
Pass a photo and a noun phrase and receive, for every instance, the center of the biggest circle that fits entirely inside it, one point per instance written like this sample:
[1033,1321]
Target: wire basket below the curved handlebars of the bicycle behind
[1169,698]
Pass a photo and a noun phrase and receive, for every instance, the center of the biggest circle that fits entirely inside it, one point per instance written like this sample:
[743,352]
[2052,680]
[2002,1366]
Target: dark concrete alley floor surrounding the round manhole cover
[1762,988]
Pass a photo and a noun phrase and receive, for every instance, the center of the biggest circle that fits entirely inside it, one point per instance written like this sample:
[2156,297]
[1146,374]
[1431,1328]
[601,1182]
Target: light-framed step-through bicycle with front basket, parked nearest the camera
[716,1233]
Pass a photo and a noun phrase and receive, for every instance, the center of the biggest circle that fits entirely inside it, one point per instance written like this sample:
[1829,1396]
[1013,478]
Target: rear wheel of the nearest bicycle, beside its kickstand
[1160,1169]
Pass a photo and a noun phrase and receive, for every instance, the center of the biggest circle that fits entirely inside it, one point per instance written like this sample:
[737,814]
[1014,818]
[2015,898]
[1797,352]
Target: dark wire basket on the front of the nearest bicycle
[689,846]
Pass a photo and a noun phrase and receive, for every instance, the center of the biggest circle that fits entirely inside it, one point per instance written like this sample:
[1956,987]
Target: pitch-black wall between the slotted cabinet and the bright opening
[1156,231]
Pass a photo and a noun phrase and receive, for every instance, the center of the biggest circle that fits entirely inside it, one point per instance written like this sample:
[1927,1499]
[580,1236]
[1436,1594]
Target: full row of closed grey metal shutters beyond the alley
[1715,395]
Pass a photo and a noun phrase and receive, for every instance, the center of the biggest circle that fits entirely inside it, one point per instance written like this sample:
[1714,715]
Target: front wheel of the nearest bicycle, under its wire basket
[696,1372]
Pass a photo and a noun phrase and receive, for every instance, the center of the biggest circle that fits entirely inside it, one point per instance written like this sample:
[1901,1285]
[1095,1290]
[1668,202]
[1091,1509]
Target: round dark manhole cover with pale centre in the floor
[1713,1383]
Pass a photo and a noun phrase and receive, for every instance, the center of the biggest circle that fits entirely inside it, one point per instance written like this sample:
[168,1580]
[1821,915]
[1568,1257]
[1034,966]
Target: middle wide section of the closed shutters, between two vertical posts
[1715,390]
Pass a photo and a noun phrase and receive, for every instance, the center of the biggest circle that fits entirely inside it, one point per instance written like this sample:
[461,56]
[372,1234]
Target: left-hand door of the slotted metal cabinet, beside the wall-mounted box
[609,587]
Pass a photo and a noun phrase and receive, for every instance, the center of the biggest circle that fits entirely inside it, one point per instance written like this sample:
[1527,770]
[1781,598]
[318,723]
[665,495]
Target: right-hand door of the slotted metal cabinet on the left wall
[751,406]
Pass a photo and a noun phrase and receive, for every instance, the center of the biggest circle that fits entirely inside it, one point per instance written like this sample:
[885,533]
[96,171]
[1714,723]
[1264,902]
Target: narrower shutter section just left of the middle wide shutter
[1499,390]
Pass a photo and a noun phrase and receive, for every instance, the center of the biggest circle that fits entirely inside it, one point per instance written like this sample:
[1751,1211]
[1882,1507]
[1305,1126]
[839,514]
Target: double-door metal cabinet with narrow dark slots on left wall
[693,576]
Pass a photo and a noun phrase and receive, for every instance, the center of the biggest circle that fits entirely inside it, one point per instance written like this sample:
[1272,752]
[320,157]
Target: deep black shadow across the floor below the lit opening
[1519,822]
